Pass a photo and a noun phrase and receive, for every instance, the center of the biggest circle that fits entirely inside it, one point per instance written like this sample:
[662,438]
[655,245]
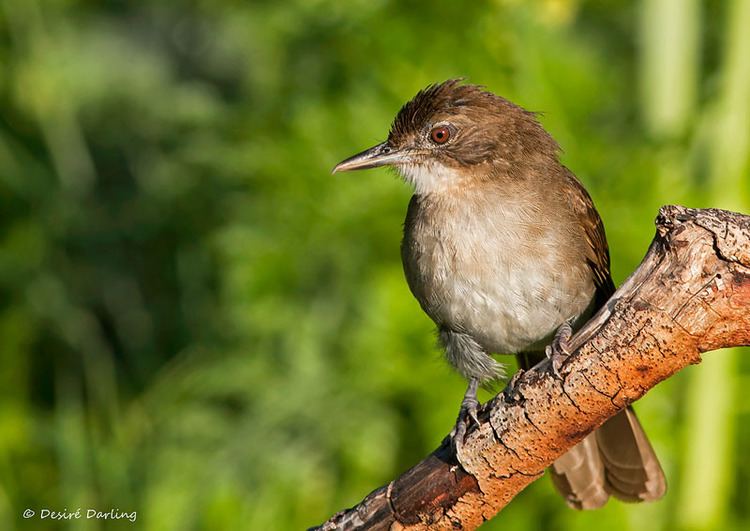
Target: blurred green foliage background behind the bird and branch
[199,323]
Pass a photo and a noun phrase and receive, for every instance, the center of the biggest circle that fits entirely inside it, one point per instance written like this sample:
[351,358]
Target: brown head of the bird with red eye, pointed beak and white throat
[451,132]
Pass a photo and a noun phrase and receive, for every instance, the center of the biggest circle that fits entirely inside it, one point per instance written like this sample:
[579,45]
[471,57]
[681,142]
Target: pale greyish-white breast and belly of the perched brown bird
[489,267]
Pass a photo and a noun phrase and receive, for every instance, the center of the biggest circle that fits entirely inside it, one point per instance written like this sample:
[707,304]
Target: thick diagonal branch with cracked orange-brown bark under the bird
[691,294]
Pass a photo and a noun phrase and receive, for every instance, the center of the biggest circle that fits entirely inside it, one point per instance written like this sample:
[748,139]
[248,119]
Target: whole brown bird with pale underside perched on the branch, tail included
[506,253]
